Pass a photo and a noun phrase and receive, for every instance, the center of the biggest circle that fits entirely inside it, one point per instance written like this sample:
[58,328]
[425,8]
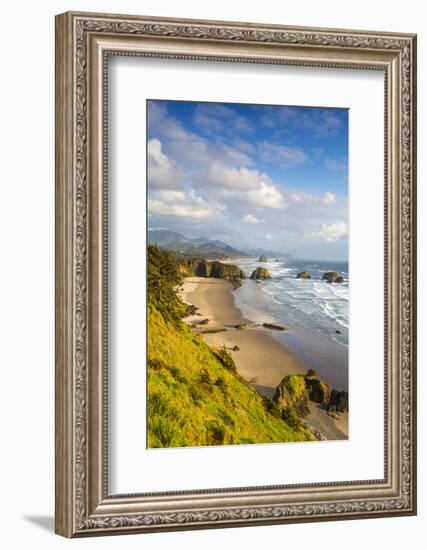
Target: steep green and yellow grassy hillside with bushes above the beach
[195,395]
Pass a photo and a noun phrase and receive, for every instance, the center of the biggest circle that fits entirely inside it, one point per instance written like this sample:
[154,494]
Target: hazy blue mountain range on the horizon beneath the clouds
[200,246]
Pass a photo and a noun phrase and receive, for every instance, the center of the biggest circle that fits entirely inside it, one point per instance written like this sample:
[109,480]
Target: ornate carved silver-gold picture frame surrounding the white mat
[83,41]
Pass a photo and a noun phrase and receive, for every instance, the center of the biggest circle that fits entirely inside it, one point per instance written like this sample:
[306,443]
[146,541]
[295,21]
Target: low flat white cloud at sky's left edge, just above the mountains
[183,204]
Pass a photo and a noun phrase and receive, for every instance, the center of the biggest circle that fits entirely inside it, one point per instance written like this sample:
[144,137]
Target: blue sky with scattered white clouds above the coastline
[253,176]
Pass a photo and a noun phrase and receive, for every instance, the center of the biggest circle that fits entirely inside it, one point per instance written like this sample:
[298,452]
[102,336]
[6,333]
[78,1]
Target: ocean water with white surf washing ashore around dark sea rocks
[314,311]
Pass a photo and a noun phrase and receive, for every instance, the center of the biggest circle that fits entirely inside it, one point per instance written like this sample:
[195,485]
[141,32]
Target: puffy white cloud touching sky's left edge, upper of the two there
[163,173]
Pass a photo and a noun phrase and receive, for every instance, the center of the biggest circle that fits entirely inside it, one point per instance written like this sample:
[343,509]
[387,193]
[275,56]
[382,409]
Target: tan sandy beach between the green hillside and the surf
[260,359]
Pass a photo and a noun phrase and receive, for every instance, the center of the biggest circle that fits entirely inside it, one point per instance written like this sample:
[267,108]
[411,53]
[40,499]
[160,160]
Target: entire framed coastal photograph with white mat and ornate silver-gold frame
[235,274]
